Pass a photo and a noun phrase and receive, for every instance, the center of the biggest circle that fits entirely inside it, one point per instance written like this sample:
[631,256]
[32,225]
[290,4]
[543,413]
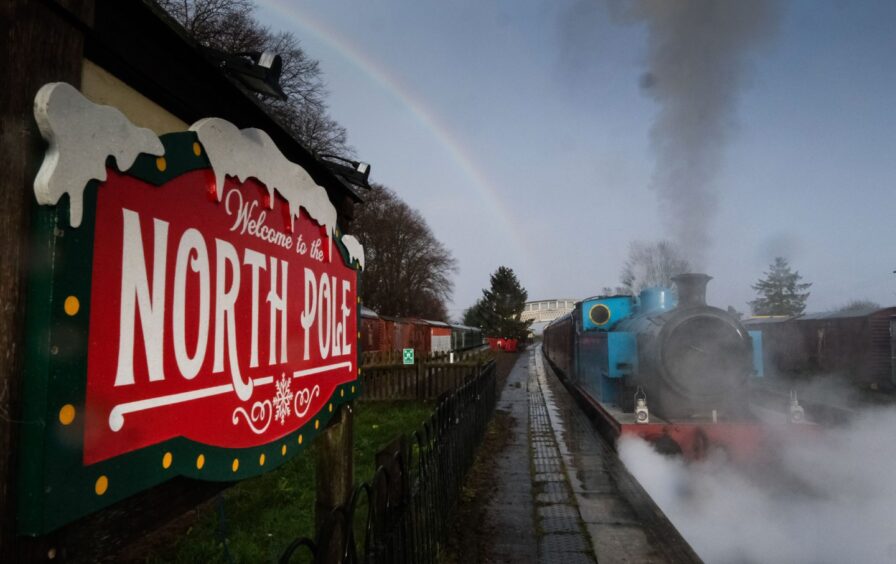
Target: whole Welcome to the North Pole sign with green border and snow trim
[192,309]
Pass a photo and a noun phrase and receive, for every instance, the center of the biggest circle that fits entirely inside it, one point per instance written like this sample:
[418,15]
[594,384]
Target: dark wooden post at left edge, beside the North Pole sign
[42,44]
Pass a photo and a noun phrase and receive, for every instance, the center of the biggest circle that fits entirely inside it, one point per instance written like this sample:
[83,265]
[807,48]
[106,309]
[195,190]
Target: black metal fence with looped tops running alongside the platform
[402,513]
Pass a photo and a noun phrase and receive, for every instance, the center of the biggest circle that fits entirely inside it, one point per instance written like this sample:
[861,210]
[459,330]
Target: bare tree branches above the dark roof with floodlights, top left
[230,26]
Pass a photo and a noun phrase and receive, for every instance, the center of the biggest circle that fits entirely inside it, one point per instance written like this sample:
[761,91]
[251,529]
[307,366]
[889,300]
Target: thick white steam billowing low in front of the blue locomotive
[832,498]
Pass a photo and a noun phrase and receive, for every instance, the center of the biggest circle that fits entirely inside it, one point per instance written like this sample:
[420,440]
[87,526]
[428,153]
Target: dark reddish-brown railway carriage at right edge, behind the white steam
[859,345]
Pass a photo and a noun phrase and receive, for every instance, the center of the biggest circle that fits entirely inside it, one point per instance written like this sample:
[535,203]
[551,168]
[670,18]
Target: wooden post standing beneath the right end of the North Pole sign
[334,470]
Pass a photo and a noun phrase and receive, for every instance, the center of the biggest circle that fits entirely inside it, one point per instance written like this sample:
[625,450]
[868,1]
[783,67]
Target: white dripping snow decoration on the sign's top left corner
[82,135]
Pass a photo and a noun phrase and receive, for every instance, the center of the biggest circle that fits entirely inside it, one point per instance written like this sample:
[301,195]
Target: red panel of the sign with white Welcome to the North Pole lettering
[224,321]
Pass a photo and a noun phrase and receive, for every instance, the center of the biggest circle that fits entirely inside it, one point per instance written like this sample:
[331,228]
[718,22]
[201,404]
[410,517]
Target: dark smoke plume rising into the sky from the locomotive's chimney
[696,66]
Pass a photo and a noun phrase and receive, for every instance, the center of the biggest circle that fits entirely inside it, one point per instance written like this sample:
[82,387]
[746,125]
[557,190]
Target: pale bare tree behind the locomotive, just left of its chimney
[652,264]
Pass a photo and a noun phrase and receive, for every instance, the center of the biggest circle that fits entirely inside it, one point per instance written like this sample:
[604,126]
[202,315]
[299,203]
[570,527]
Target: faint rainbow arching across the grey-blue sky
[389,83]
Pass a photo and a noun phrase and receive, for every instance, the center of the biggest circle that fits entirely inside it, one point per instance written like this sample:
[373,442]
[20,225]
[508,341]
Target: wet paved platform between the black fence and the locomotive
[563,495]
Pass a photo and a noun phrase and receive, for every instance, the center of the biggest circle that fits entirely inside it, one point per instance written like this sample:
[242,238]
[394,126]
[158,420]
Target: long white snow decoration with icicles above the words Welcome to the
[251,152]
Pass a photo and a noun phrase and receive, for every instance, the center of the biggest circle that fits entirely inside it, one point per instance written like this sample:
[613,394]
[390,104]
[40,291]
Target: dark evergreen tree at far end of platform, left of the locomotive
[498,311]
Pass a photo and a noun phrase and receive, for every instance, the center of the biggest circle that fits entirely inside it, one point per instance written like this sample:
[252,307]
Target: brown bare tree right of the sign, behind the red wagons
[407,270]
